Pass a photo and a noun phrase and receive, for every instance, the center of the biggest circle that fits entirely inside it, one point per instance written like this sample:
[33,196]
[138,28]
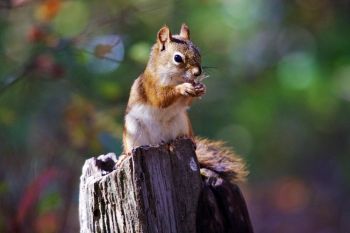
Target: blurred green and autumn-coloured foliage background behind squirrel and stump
[279,92]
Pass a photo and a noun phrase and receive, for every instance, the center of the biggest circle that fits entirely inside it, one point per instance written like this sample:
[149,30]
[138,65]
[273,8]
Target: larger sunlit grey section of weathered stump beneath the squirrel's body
[156,189]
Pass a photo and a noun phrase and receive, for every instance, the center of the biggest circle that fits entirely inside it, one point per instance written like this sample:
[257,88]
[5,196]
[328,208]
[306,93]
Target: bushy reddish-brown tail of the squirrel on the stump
[215,156]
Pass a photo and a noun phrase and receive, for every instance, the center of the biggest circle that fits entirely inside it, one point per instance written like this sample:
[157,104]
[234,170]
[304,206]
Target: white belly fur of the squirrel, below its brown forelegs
[147,125]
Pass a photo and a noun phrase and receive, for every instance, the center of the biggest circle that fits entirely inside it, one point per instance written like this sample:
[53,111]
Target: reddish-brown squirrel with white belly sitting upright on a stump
[160,97]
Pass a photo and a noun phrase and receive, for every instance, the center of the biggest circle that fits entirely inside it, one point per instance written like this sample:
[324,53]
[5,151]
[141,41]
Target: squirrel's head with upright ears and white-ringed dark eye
[174,58]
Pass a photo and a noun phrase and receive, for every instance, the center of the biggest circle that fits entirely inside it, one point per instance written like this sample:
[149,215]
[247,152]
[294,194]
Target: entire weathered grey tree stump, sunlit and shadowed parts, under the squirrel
[159,190]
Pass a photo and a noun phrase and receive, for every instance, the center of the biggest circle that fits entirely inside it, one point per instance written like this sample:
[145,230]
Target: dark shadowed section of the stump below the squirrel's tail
[221,207]
